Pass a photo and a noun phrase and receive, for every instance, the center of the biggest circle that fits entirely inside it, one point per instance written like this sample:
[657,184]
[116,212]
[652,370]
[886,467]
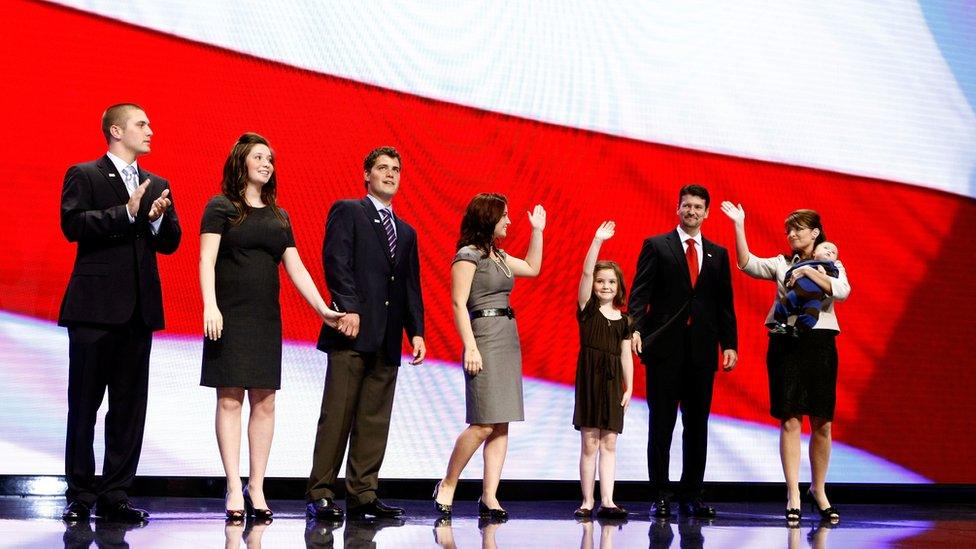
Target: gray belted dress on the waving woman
[494,395]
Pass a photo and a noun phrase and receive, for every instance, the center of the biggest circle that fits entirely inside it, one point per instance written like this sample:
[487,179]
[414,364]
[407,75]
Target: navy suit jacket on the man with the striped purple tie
[363,278]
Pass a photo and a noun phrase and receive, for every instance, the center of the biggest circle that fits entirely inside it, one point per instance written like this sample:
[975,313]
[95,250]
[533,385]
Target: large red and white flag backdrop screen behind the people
[862,111]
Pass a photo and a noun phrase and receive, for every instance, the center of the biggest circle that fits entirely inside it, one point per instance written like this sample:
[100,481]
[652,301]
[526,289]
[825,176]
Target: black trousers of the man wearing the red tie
[669,382]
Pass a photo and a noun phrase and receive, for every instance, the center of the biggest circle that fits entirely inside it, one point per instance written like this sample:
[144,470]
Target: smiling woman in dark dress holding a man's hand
[244,235]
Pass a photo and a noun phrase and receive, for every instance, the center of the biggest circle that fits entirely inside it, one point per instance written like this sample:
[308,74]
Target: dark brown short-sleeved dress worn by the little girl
[599,373]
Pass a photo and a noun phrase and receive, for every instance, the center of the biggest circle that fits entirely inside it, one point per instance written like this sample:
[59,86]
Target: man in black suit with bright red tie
[682,306]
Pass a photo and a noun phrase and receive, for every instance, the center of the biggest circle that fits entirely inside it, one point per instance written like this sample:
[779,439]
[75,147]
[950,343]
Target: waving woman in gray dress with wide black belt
[482,277]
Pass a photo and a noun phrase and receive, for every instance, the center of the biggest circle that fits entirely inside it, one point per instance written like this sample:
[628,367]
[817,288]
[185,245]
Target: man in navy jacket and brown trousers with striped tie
[372,269]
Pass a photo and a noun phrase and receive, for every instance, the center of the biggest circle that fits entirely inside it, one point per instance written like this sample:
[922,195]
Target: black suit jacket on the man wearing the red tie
[662,298]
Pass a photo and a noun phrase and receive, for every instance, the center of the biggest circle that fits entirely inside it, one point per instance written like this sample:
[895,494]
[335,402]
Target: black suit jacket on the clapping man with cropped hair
[115,265]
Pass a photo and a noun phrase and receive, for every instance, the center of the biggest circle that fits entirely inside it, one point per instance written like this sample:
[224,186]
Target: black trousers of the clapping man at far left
[116,358]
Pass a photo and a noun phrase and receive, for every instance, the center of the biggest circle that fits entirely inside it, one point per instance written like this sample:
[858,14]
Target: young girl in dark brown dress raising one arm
[604,374]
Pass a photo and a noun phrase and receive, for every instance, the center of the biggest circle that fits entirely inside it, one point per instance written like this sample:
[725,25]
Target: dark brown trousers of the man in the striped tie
[356,406]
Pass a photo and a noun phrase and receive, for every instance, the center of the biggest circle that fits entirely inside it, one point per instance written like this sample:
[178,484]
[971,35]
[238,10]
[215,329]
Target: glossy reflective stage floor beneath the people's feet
[34,521]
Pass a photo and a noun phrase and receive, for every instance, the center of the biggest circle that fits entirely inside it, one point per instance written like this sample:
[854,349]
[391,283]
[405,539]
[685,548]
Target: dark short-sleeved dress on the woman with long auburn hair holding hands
[248,353]
